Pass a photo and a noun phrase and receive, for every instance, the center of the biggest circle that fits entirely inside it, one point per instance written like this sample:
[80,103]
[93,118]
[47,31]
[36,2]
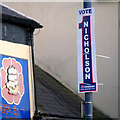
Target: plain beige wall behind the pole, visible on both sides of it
[56,46]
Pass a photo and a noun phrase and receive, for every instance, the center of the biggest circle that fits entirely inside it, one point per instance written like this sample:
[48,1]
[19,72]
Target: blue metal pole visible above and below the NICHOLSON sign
[88,96]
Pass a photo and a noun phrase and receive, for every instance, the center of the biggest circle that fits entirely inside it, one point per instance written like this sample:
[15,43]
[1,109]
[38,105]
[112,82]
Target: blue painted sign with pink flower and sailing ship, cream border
[15,81]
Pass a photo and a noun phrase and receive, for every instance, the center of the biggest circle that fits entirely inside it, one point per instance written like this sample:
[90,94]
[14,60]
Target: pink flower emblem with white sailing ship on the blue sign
[12,86]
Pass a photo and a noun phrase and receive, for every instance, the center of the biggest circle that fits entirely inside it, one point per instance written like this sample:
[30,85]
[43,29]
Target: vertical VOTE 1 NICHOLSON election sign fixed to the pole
[86,53]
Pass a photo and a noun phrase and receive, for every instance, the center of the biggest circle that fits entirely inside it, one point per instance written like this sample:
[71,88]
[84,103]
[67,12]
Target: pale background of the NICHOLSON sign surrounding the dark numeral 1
[79,48]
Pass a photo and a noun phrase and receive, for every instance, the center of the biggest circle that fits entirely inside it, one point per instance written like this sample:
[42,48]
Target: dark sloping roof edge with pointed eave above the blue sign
[13,15]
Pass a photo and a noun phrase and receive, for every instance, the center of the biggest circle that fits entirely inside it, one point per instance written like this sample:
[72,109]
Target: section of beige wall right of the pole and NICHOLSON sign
[107,44]
